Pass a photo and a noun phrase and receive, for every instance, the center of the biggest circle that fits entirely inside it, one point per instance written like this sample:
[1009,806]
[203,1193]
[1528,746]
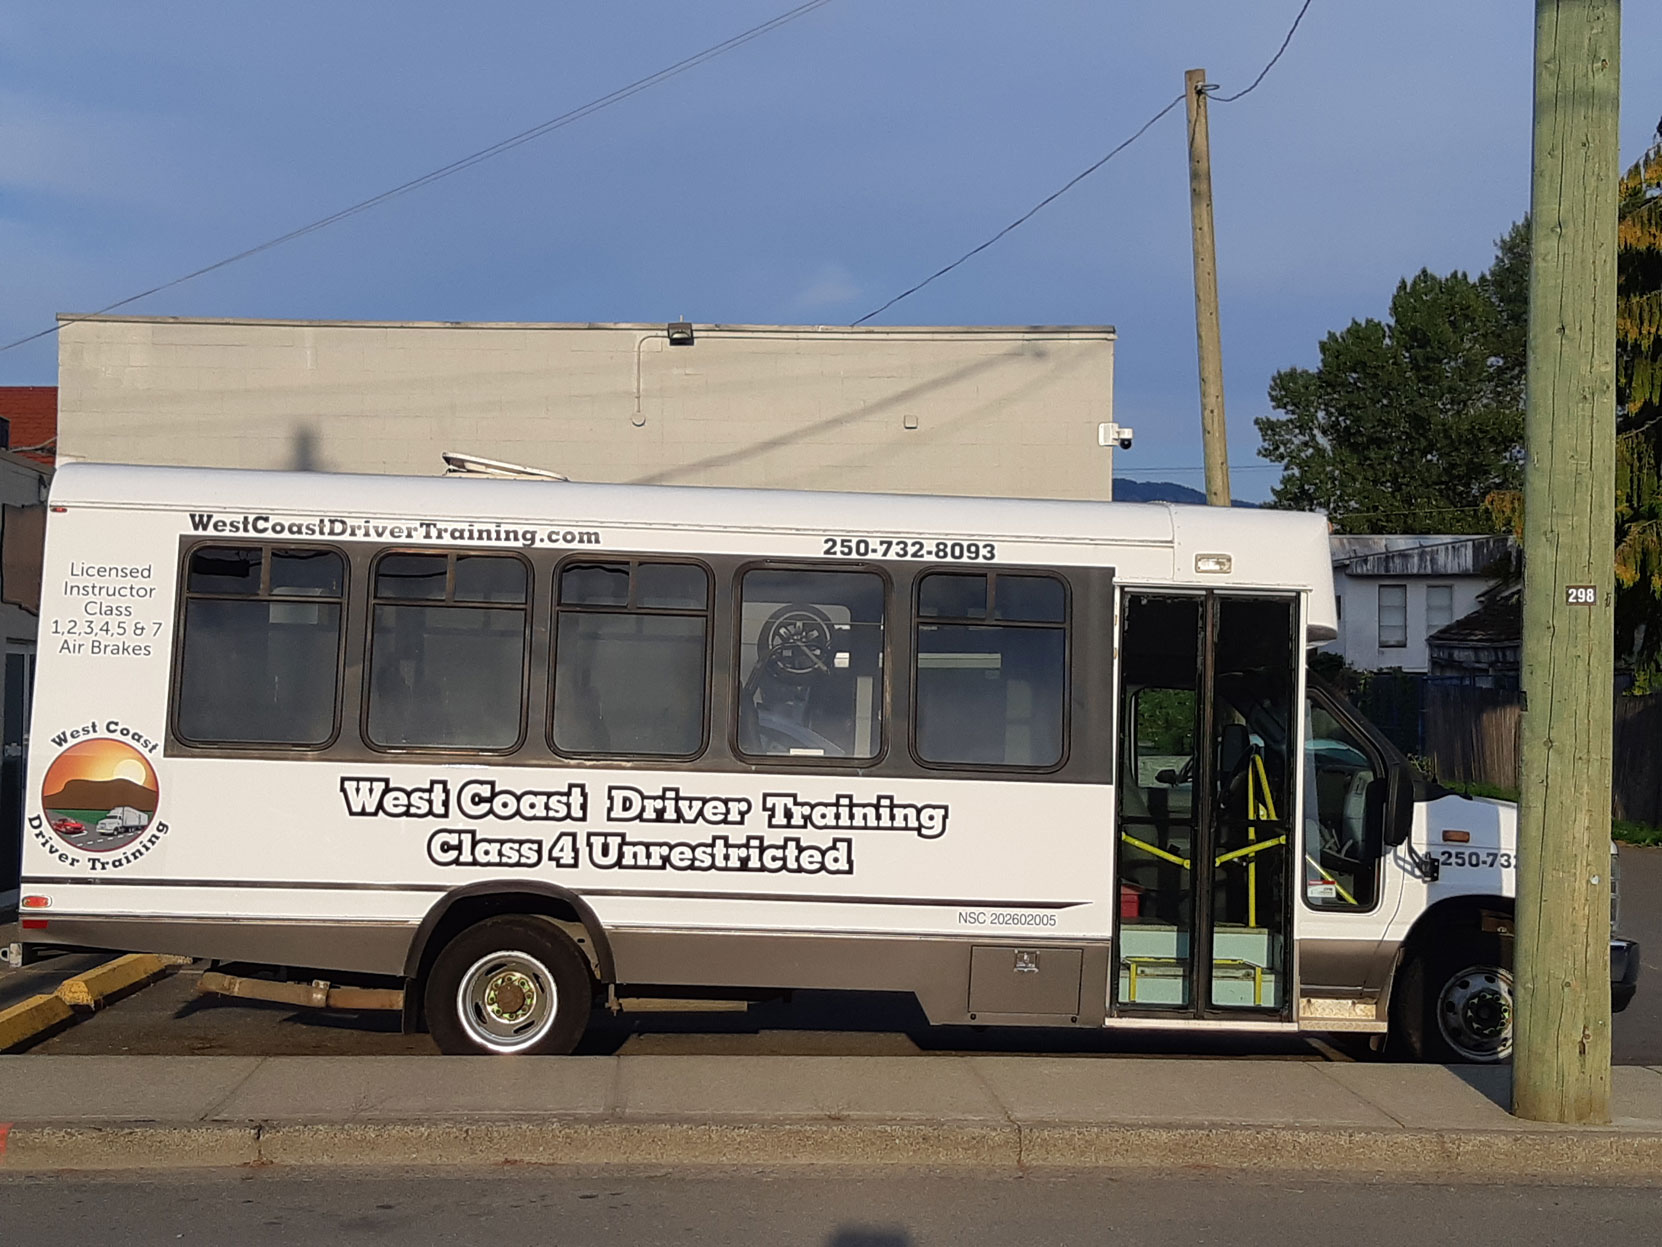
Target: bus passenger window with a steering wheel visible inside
[810,664]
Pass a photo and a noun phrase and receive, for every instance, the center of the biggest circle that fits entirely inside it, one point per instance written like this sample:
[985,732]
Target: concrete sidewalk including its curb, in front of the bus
[990,1111]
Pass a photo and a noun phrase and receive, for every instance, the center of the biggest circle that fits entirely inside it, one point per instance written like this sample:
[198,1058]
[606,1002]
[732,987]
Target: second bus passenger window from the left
[448,651]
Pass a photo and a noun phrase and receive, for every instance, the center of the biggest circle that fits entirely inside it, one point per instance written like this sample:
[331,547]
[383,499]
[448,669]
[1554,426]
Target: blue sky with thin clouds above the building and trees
[804,179]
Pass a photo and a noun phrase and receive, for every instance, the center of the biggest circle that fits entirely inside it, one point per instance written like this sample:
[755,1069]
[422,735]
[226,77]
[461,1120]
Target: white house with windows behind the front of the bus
[1397,589]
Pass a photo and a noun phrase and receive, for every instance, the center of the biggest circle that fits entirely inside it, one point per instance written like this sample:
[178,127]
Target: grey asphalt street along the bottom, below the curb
[833,1210]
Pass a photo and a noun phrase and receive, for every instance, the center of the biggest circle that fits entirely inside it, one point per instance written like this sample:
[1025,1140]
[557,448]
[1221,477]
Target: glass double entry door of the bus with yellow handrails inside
[1206,806]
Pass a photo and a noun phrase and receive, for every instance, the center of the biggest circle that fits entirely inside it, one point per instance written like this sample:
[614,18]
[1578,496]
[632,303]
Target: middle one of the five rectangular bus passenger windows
[631,659]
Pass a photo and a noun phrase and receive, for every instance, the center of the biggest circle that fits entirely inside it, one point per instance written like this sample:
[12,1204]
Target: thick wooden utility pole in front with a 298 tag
[1561,1070]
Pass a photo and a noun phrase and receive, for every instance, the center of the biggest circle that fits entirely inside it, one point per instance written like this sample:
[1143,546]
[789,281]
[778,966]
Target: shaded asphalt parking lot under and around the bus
[170,1018]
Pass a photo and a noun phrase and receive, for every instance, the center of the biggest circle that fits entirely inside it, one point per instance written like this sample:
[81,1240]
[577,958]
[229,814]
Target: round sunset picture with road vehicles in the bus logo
[101,796]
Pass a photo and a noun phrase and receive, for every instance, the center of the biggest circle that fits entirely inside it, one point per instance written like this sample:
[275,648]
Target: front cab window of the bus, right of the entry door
[1340,869]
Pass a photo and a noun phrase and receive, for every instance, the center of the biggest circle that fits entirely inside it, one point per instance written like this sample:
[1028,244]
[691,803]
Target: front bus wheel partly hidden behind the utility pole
[1453,1002]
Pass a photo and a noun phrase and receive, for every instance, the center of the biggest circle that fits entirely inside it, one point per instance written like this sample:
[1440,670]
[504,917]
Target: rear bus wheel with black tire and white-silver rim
[509,987]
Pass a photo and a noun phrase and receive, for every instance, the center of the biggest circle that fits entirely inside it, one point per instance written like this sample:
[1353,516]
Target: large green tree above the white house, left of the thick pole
[1410,423]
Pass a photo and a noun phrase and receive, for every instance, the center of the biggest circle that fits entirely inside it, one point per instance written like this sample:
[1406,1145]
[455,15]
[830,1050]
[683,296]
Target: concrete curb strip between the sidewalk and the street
[1558,1156]
